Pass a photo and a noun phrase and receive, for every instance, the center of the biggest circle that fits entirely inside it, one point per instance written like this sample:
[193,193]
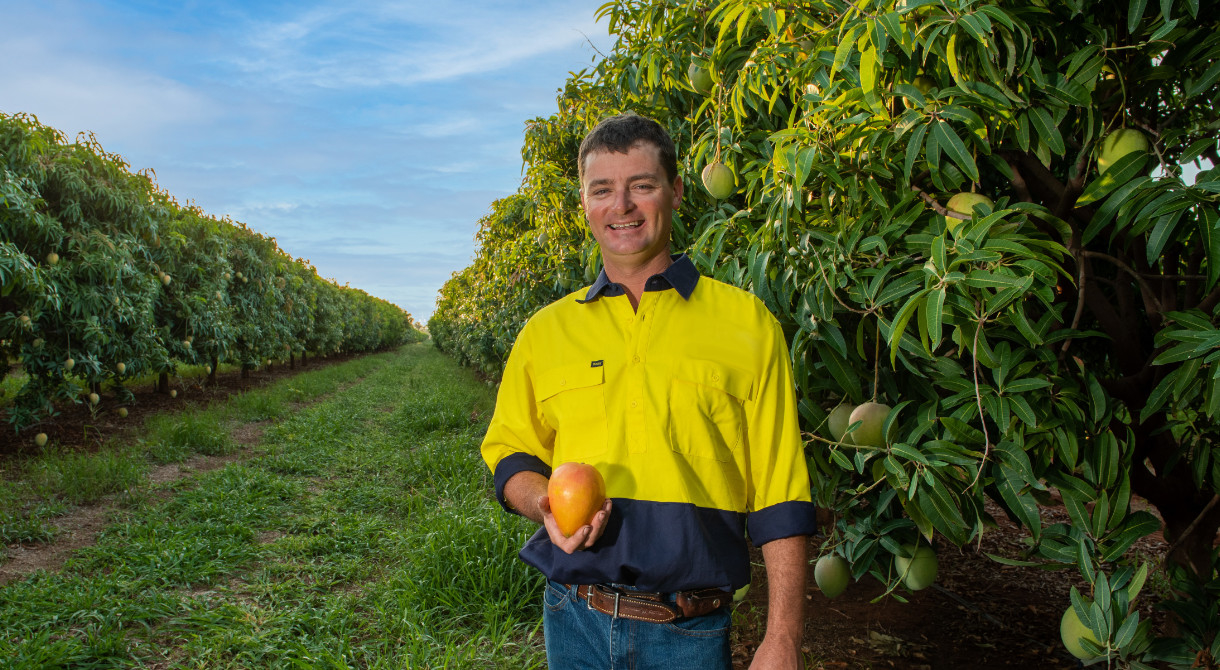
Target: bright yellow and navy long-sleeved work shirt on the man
[687,408]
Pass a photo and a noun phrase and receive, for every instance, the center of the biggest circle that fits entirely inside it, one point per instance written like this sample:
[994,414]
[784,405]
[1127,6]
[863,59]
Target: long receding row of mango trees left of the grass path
[104,278]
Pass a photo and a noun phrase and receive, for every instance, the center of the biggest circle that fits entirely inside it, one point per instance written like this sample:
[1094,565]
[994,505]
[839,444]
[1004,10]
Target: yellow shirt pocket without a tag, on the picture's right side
[707,414]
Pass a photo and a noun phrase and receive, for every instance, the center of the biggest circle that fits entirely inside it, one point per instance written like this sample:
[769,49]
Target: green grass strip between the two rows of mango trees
[359,534]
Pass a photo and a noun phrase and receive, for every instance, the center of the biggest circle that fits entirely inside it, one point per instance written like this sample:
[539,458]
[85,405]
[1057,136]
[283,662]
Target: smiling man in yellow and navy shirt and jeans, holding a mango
[678,389]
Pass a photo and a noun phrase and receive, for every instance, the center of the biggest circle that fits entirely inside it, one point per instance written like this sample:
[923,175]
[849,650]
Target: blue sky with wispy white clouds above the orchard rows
[368,137]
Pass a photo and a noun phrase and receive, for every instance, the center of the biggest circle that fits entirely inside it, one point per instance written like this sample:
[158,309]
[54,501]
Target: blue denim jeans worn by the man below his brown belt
[580,638]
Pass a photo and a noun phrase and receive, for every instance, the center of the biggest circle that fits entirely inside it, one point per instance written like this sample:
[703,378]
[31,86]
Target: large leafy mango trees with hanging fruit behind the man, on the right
[1052,339]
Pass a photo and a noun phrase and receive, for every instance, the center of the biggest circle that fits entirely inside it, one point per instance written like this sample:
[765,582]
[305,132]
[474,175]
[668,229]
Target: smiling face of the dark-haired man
[630,204]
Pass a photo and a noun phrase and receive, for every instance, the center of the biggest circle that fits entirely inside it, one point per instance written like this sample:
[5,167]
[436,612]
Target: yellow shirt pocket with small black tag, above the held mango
[573,402]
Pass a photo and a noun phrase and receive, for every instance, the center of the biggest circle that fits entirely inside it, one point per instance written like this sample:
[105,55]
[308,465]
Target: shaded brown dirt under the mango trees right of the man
[978,614]
